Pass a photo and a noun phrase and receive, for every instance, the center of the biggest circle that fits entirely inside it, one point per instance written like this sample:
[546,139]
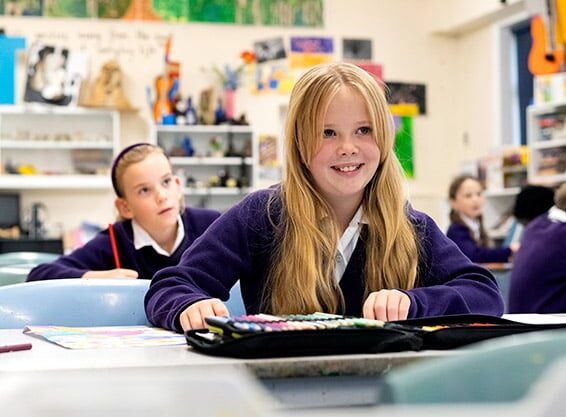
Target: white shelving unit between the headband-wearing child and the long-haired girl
[233,156]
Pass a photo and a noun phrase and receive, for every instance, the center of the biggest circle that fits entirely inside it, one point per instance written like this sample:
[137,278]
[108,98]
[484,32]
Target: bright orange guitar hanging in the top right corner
[542,59]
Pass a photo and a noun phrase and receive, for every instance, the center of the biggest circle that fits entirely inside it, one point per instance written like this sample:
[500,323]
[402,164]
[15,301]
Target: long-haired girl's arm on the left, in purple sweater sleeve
[209,267]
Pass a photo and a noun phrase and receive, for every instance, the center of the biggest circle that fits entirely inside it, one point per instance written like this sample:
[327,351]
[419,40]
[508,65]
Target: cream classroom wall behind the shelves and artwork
[456,71]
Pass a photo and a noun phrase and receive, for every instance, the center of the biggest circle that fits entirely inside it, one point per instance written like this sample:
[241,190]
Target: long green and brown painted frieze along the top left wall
[305,13]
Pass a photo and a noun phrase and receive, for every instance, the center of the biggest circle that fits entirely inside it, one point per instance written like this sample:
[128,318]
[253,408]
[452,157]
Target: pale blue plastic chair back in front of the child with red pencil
[74,302]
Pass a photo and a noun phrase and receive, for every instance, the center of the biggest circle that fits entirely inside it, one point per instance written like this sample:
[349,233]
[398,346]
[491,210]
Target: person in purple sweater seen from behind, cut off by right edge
[538,277]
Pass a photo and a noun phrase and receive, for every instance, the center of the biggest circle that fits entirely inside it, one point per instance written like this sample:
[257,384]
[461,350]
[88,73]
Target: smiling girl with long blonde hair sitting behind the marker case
[337,235]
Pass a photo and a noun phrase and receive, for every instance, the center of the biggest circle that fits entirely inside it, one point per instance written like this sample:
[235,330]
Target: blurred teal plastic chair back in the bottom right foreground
[497,370]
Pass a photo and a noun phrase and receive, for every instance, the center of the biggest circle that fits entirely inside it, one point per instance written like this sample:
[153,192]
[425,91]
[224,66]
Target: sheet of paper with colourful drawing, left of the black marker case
[105,337]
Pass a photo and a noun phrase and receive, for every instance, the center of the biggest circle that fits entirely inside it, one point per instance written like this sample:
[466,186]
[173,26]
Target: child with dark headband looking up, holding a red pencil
[155,229]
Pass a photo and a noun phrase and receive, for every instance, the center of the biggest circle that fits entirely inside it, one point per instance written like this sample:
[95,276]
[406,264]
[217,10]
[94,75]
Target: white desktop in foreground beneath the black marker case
[45,355]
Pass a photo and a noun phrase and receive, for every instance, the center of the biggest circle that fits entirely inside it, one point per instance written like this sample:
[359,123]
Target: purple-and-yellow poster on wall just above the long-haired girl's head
[310,51]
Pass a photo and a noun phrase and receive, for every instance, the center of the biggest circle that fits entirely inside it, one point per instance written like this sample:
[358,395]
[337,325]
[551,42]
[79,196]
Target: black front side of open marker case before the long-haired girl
[304,342]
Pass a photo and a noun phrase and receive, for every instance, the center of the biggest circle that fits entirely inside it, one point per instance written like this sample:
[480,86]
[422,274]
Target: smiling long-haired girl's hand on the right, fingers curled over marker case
[387,305]
